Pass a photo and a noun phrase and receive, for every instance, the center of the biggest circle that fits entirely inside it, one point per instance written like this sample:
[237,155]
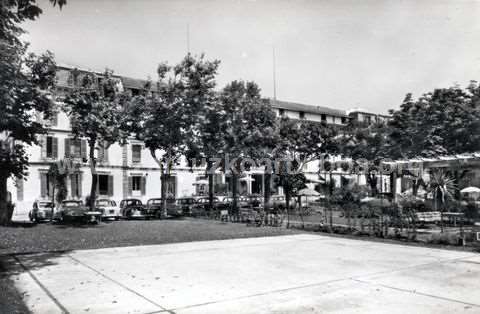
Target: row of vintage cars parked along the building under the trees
[132,208]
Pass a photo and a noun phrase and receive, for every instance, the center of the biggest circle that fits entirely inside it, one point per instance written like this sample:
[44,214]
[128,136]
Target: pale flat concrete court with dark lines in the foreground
[284,274]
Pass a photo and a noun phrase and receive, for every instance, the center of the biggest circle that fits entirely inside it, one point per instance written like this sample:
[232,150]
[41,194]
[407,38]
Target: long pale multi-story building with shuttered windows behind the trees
[129,170]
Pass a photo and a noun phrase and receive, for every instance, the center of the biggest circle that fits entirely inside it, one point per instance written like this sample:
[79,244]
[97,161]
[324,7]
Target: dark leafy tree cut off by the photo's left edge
[26,83]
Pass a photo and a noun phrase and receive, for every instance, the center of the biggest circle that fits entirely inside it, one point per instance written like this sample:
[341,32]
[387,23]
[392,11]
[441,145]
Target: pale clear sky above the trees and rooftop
[341,54]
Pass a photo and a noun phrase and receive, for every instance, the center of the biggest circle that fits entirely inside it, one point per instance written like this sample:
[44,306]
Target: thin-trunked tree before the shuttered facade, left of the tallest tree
[96,113]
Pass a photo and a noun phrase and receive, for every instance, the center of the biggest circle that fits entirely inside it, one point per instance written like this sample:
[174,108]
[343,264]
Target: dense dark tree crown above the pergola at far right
[445,121]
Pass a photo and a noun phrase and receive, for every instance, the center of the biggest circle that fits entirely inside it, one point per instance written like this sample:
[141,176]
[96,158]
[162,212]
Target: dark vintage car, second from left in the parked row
[75,211]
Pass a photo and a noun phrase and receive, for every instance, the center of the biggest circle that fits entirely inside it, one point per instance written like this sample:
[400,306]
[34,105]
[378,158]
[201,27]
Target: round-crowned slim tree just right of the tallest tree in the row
[248,127]
